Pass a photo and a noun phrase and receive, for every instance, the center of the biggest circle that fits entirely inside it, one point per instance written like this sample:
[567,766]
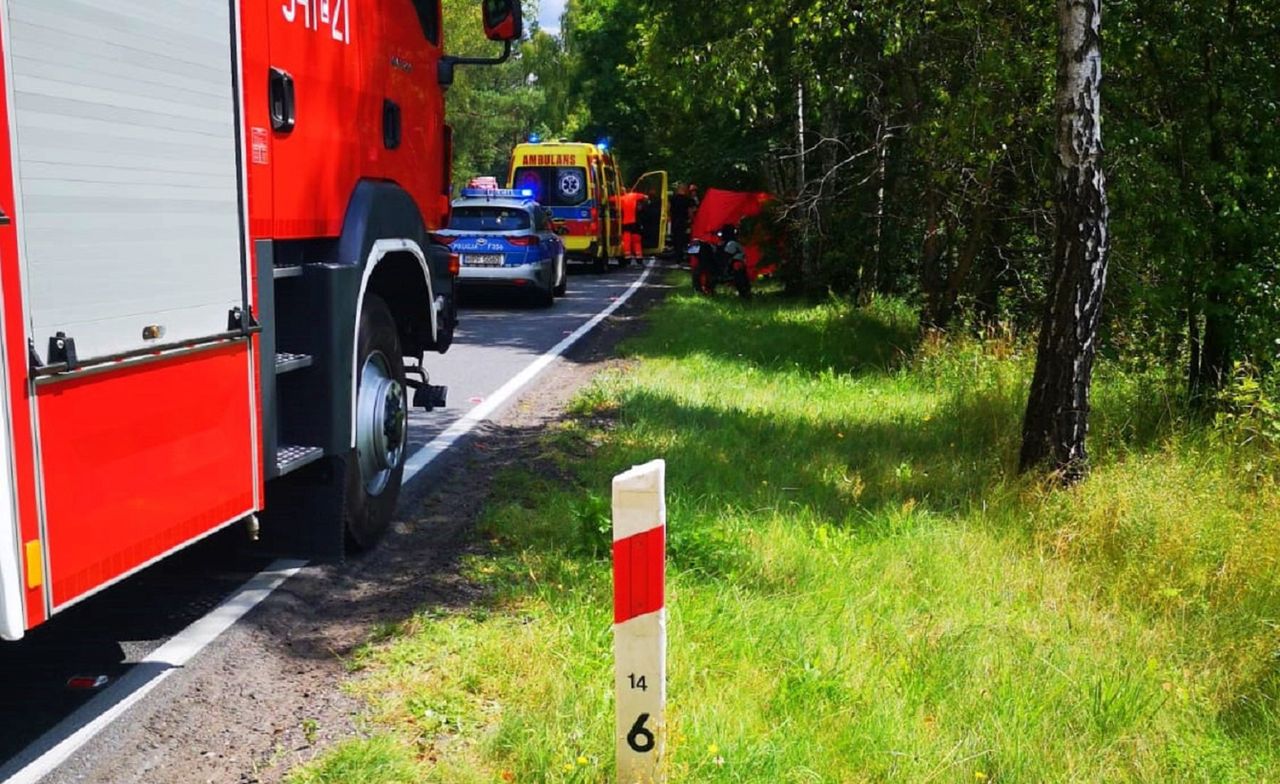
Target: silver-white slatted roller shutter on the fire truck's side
[126,166]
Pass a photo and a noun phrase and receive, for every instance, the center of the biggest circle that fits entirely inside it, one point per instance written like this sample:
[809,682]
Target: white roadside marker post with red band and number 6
[641,622]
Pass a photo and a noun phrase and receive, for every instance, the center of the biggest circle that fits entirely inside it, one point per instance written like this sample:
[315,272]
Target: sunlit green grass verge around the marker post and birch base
[861,587]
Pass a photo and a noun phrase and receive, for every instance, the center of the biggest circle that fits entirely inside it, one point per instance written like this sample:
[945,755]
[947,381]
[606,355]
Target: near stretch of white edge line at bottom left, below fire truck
[60,744]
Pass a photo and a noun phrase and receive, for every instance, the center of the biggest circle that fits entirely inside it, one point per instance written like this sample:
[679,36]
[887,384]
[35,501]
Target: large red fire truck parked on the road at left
[217,276]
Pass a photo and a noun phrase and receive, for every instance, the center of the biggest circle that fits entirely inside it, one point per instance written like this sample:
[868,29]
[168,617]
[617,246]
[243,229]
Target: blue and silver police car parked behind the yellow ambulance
[505,239]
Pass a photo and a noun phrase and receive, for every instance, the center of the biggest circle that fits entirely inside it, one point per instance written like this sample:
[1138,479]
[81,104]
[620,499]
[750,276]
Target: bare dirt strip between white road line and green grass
[268,696]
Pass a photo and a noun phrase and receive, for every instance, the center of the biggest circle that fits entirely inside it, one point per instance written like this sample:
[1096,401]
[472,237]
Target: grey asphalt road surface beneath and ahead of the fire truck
[500,335]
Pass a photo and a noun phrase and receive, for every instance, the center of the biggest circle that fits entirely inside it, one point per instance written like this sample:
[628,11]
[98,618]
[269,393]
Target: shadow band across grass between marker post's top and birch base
[842,472]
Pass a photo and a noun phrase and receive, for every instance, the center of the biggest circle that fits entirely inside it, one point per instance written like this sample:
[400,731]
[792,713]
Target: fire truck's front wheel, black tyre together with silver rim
[382,427]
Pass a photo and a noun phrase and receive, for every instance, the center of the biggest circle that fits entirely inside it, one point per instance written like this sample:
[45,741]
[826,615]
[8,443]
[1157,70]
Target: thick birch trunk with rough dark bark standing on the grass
[1058,412]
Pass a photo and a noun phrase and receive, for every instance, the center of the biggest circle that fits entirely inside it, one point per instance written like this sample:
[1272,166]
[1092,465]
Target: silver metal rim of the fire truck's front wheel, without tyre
[382,423]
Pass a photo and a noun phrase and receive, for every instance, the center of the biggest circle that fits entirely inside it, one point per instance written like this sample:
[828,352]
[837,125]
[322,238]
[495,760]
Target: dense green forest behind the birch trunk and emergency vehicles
[912,145]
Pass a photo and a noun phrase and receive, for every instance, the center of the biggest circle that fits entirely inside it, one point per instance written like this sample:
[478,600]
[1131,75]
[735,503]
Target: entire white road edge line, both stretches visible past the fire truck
[72,733]
